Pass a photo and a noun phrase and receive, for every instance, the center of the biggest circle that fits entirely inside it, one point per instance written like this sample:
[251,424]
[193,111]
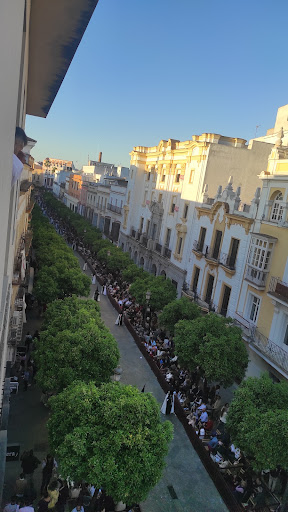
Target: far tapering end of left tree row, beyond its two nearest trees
[58,272]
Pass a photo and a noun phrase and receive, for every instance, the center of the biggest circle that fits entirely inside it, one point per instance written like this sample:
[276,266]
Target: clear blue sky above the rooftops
[148,70]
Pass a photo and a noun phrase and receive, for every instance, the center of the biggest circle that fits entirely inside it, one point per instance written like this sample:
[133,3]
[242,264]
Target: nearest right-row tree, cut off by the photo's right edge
[258,421]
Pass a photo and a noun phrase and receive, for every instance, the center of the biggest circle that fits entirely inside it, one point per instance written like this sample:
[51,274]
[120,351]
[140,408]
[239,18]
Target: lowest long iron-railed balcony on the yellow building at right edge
[276,354]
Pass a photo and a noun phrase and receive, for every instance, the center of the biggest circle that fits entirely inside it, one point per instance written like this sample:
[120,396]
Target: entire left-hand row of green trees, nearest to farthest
[102,432]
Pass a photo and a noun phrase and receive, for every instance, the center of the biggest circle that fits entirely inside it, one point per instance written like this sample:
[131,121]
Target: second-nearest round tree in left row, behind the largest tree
[88,353]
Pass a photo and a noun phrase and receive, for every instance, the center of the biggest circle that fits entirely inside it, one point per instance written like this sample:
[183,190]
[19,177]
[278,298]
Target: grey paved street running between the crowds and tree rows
[194,489]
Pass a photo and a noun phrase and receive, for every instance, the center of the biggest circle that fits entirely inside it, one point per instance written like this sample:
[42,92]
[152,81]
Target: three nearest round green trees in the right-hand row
[258,413]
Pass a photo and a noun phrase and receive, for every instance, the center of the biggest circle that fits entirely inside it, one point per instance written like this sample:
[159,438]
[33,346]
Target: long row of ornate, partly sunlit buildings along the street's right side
[209,213]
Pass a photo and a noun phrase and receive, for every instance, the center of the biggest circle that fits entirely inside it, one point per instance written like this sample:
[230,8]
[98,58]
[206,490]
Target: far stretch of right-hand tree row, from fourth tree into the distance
[162,290]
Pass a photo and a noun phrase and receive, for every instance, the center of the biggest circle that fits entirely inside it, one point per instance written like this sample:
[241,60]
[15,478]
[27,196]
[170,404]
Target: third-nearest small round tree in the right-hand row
[179,309]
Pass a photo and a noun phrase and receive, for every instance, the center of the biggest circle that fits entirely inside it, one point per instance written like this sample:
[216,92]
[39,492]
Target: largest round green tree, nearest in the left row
[112,435]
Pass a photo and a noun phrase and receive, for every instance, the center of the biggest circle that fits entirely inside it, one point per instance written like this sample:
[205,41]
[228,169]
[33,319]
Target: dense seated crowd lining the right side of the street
[204,407]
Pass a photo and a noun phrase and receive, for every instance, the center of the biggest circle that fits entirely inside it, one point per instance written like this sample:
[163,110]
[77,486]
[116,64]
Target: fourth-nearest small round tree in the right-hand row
[162,291]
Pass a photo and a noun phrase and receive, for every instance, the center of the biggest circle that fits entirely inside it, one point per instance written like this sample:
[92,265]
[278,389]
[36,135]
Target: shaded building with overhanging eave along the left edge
[38,42]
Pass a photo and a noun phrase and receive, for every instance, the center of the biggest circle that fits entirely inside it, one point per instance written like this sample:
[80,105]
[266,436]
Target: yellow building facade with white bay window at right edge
[262,309]
